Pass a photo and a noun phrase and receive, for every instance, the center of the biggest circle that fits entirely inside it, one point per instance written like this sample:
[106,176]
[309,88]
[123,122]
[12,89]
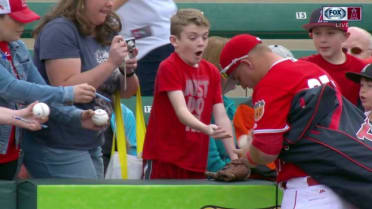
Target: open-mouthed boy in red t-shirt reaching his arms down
[187,93]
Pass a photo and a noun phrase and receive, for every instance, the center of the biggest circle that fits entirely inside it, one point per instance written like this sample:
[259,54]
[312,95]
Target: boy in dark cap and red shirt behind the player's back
[328,38]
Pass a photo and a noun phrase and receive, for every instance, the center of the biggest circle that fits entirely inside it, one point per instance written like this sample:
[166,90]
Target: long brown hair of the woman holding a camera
[74,10]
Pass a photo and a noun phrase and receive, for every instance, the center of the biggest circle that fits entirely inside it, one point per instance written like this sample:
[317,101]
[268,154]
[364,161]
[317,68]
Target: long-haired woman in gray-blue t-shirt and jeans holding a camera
[76,42]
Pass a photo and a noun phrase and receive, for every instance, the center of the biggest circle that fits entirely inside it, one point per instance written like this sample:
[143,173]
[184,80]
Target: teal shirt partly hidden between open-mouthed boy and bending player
[217,155]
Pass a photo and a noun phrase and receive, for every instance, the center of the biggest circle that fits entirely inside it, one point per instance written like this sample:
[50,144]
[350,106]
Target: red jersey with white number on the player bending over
[272,99]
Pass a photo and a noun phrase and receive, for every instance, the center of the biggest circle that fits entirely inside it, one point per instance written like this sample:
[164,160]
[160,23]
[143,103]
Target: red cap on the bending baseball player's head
[236,49]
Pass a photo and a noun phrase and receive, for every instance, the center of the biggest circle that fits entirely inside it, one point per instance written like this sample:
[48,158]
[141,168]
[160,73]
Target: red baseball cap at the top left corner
[18,11]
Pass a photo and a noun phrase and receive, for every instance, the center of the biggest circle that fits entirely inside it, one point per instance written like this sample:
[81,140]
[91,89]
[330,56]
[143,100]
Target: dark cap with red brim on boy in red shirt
[316,19]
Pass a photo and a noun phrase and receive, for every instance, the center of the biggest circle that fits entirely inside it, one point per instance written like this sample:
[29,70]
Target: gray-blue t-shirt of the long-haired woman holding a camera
[61,39]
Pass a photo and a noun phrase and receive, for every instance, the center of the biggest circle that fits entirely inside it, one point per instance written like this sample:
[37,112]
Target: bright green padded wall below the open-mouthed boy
[138,194]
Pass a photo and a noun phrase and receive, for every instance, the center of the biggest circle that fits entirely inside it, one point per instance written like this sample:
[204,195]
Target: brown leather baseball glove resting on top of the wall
[236,170]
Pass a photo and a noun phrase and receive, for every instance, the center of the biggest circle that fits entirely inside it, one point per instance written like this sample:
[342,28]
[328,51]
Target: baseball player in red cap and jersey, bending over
[275,81]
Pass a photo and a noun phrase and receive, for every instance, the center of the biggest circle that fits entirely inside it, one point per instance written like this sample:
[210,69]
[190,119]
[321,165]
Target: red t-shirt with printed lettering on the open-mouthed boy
[167,139]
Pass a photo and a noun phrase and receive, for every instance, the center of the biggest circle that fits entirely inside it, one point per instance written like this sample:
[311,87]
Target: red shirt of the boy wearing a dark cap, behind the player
[348,88]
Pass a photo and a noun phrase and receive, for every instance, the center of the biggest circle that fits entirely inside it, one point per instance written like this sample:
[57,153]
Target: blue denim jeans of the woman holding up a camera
[46,162]
